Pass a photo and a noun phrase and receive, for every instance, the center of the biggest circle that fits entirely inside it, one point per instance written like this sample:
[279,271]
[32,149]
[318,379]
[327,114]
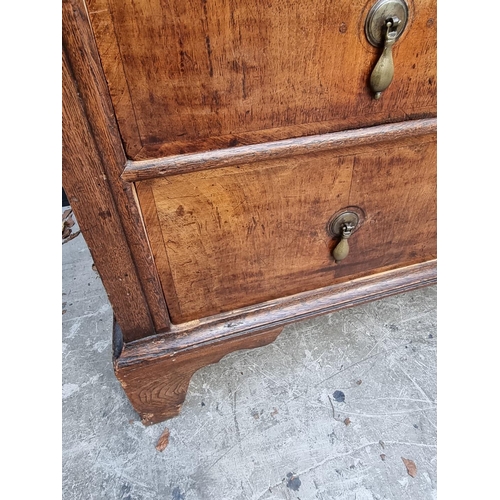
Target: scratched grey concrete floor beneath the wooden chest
[259,424]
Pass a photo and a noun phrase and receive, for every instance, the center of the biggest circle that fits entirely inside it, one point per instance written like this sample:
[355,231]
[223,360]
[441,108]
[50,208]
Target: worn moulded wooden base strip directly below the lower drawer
[278,312]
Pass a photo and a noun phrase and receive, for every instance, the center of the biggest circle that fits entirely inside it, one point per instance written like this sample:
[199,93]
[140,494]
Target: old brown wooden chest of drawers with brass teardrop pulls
[236,166]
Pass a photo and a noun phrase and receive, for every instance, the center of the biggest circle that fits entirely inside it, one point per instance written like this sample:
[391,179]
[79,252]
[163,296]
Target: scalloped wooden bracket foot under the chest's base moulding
[157,389]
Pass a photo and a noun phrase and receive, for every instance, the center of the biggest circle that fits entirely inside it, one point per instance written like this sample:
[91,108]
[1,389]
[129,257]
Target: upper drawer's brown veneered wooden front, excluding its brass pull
[189,76]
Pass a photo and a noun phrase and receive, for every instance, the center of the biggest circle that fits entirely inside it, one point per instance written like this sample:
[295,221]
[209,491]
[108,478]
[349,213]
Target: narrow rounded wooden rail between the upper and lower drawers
[355,139]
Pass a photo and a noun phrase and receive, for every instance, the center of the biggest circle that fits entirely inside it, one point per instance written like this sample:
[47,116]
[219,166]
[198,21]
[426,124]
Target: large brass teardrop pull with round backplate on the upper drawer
[385,23]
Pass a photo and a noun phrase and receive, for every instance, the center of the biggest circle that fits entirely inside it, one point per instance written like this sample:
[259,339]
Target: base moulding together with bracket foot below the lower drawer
[155,373]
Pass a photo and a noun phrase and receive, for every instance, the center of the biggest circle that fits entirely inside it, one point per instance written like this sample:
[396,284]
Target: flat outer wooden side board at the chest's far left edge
[85,182]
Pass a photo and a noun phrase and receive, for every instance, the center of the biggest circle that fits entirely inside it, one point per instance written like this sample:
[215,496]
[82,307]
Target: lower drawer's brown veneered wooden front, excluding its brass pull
[232,237]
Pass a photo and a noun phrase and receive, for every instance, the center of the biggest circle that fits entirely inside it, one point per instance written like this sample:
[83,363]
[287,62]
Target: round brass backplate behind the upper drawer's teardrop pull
[375,26]
